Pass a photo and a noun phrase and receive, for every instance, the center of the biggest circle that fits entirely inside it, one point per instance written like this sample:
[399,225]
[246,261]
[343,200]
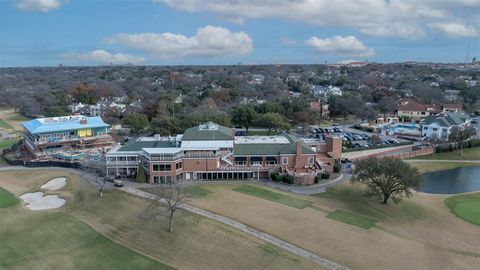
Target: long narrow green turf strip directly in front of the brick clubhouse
[273,196]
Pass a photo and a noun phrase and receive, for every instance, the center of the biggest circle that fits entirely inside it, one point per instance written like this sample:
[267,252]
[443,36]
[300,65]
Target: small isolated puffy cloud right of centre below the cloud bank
[348,45]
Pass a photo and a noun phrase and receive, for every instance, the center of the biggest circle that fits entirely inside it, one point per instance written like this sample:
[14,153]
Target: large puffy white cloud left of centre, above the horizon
[208,42]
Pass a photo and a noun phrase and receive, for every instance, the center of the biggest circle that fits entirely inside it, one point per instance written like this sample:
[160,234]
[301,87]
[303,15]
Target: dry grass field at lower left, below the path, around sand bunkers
[119,235]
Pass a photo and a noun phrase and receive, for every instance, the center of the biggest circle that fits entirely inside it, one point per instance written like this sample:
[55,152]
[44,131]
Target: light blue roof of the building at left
[64,123]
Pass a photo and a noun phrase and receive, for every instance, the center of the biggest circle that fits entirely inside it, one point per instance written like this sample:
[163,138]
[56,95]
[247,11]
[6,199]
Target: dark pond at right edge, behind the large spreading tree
[458,180]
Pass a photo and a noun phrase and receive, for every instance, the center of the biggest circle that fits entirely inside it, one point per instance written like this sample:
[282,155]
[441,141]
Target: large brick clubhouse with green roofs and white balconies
[213,152]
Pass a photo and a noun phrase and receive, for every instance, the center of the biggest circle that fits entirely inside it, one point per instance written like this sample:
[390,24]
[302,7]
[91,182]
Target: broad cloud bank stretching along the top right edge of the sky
[394,18]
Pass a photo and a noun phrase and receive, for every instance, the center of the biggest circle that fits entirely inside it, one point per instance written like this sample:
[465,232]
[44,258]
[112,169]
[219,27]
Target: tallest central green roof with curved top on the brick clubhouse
[208,132]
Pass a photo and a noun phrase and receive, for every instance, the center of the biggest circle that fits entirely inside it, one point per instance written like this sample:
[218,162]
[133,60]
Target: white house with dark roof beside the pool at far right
[441,125]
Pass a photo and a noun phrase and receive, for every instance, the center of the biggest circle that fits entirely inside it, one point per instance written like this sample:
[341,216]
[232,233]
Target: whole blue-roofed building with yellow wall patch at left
[47,135]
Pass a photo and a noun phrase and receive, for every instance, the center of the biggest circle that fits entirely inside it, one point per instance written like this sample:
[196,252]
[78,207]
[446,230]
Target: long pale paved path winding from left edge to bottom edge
[326,263]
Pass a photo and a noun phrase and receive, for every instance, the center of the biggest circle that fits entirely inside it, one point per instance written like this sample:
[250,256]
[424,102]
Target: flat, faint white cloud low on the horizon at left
[103,57]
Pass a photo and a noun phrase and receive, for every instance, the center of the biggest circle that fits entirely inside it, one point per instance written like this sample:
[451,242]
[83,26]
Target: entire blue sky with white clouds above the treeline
[206,32]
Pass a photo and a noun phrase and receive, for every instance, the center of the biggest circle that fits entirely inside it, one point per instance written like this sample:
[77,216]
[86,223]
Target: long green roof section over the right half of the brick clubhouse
[268,149]
